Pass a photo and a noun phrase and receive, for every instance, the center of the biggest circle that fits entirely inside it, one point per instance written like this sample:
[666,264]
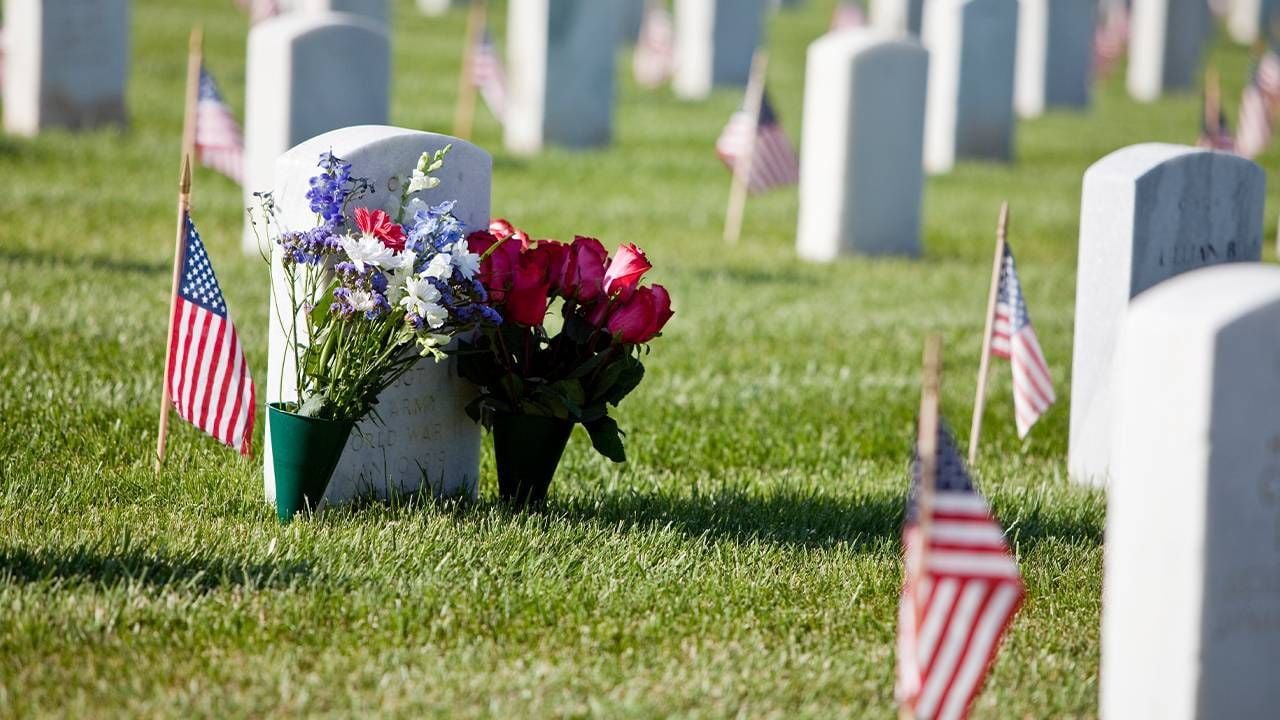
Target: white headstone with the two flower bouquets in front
[427,435]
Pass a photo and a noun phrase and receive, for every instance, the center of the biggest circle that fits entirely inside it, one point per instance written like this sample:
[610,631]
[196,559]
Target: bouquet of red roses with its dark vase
[575,326]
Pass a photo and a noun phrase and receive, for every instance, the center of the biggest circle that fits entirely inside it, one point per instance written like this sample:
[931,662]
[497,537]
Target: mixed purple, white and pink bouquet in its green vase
[369,295]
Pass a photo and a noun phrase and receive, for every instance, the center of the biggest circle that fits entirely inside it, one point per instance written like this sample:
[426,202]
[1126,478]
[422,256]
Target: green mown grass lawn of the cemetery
[744,563]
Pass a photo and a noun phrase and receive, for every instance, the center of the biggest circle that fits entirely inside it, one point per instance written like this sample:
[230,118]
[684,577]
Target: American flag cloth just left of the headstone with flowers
[209,381]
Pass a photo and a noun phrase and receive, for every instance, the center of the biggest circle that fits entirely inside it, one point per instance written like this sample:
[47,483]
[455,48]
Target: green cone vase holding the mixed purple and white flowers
[305,452]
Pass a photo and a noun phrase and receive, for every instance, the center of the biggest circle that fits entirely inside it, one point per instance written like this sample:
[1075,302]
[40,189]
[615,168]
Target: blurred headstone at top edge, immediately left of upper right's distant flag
[1055,56]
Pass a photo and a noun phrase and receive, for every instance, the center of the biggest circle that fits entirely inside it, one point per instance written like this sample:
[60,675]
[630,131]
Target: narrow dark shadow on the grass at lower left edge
[117,568]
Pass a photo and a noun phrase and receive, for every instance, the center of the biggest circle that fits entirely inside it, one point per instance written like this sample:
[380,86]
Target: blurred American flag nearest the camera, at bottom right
[958,600]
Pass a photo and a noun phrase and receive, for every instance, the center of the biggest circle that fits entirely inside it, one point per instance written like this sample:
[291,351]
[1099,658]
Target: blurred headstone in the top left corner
[66,66]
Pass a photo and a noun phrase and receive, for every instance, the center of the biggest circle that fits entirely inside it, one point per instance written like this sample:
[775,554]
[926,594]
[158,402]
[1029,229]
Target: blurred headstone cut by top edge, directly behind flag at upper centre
[715,43]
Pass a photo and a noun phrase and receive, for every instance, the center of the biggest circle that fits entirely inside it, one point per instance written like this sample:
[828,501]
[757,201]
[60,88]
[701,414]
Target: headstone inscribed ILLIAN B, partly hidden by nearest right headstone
[1148,213]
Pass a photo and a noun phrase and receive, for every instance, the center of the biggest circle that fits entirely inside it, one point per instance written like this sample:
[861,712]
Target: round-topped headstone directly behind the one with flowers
[309,74]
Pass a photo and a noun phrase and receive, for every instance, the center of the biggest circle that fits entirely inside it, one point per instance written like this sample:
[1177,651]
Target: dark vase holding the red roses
[528,450]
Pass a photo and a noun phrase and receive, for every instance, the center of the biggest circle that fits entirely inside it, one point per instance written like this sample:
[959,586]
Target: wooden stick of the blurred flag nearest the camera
[927,446]
